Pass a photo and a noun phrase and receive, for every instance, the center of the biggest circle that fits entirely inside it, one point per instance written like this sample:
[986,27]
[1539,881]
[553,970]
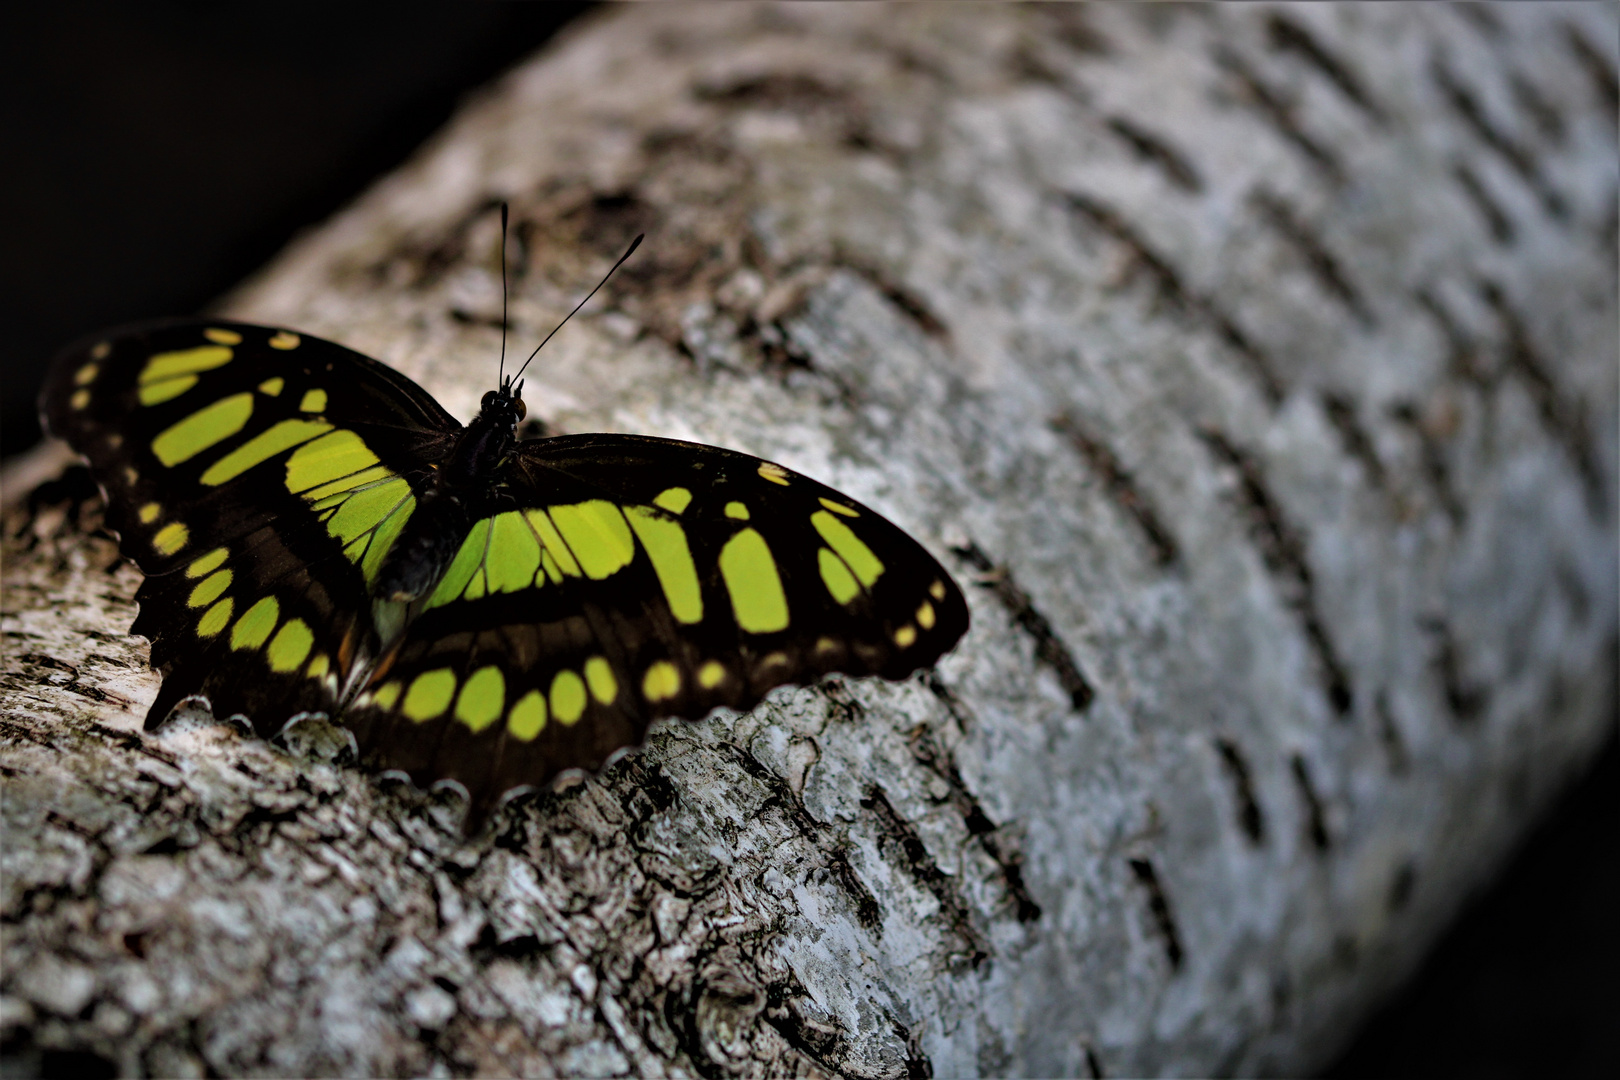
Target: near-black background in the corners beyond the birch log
[160,153]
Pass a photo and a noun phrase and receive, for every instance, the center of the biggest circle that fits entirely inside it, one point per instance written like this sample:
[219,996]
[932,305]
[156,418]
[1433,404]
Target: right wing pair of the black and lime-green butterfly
[618,579]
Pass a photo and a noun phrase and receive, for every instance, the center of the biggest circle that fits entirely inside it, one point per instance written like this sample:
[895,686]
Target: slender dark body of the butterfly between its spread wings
[448,500]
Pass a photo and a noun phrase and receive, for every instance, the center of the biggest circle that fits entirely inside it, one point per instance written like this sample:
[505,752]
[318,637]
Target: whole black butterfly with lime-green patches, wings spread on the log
[320,535]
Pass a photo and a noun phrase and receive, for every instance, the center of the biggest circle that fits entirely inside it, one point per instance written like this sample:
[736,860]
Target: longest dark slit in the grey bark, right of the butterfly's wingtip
[1284,553]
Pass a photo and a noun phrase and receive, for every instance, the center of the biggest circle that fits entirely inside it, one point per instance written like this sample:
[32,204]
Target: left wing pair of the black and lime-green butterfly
[257,477]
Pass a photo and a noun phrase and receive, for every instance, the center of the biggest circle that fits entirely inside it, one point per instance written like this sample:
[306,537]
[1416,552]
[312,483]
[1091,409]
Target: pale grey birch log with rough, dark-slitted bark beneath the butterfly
[1258,370]
